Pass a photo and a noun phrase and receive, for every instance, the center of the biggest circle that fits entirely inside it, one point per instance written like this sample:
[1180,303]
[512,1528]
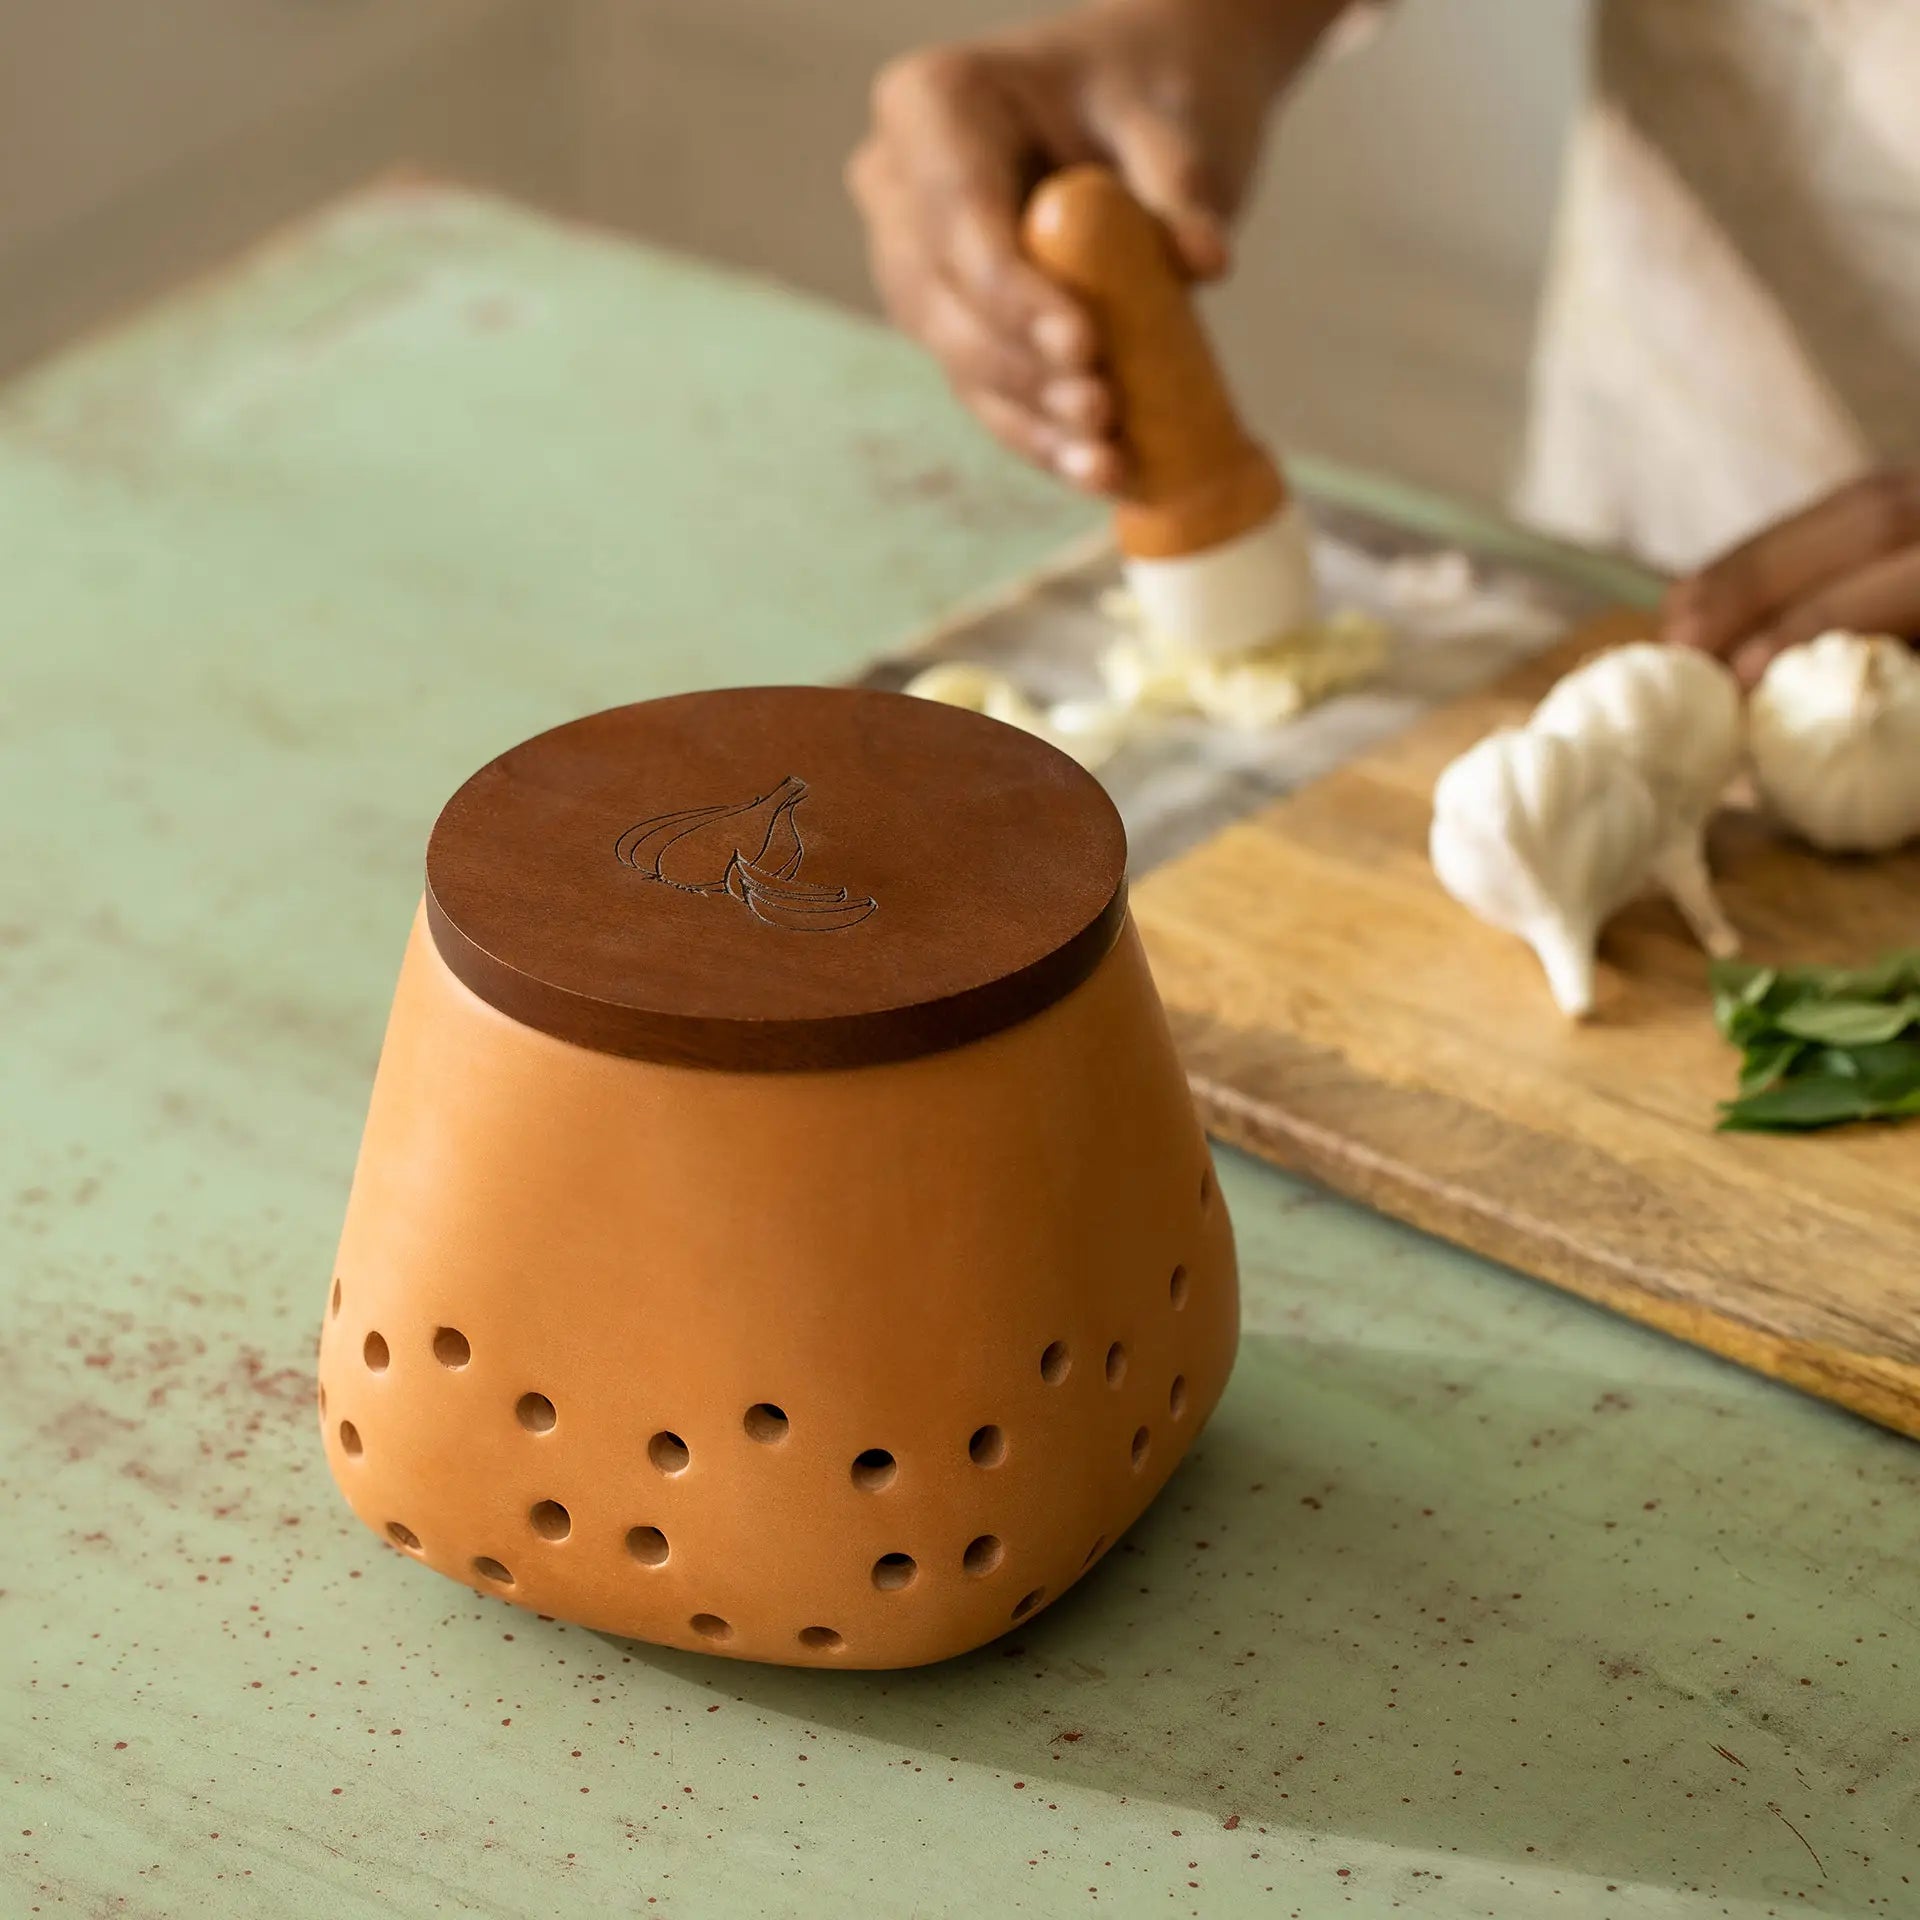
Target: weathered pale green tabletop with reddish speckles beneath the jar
[1474,1602]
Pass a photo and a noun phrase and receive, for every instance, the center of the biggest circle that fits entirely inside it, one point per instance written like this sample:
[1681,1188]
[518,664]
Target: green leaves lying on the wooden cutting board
[1823,1045]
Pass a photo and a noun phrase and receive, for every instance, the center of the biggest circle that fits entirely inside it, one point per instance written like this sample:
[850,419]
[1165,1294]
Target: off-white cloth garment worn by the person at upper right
[1733,314]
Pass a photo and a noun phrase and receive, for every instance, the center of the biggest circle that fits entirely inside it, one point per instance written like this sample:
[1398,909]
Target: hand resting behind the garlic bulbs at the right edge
[1848,562]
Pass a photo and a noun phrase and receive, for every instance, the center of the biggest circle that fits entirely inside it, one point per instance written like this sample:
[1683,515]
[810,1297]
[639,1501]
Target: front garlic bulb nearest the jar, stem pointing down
[1547,836]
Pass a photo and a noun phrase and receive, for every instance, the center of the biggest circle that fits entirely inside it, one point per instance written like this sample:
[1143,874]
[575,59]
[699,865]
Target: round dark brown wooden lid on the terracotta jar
[777,878]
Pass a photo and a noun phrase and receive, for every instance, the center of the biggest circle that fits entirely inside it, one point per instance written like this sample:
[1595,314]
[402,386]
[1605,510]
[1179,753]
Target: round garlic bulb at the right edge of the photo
[1836,742]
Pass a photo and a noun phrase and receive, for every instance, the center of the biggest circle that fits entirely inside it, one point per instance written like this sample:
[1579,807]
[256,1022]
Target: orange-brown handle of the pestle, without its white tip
[1197,477]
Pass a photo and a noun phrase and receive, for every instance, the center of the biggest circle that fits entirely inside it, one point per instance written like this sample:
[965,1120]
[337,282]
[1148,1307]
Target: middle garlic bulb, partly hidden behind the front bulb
[1677,717]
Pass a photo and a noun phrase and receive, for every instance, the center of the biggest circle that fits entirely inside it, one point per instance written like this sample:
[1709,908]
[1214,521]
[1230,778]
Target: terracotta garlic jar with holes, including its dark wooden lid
[782,1228]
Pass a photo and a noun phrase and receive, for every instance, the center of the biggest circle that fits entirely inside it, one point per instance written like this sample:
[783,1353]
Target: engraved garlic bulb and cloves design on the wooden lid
[750,853]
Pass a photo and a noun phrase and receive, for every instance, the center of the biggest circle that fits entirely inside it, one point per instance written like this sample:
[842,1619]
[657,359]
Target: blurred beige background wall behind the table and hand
[1389,266]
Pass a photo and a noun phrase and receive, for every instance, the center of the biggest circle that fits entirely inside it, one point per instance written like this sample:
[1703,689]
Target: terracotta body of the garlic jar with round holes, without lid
[850,1368]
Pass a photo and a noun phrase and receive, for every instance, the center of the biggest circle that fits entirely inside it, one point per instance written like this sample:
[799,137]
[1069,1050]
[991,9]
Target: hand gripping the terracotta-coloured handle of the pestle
[1170,93]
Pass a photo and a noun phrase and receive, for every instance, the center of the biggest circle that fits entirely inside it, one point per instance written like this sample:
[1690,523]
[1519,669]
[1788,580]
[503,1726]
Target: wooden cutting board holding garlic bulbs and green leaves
[1343,1017]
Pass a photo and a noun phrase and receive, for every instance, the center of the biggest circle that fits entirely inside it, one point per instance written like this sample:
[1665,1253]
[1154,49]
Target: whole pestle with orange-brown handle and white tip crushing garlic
[1214,548]
